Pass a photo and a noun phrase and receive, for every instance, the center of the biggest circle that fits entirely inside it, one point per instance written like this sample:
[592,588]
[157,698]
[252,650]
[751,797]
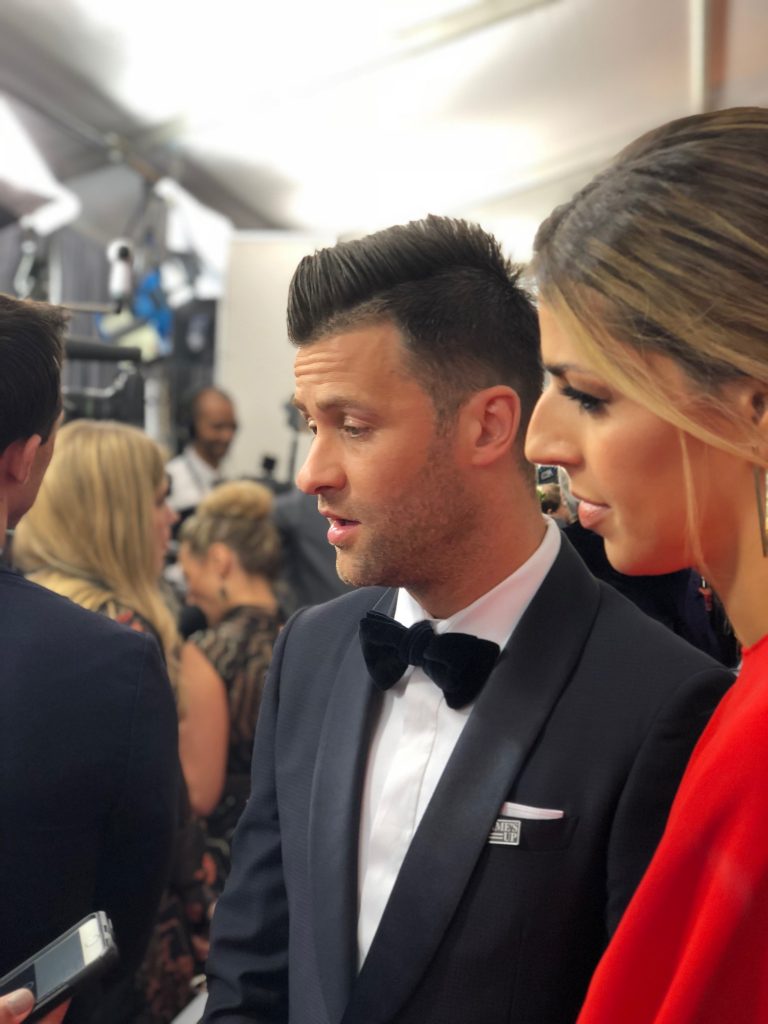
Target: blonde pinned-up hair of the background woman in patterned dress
[239,516]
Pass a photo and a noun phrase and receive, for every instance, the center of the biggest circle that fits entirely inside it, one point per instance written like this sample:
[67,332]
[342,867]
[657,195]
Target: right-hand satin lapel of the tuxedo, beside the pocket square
[507,718]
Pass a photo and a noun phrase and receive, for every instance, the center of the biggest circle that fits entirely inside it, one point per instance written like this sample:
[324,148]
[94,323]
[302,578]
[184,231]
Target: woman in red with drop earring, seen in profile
[654,285]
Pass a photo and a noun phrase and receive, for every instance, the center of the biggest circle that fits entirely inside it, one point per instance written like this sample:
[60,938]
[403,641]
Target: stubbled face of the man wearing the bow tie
[391,486]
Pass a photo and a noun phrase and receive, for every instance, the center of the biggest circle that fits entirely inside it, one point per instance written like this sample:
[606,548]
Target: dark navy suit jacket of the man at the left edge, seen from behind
[88,719]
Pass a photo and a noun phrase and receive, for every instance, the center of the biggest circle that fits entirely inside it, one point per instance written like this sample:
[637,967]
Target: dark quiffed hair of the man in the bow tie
[446,285]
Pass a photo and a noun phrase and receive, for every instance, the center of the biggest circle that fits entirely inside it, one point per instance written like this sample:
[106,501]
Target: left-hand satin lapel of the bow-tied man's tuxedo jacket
[334,821]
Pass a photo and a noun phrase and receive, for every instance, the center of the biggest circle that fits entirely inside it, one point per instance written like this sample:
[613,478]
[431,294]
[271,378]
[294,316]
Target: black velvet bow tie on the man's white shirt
[460,664]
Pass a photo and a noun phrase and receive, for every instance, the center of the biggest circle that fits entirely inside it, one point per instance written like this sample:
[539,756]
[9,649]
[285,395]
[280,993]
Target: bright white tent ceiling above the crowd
[348,115]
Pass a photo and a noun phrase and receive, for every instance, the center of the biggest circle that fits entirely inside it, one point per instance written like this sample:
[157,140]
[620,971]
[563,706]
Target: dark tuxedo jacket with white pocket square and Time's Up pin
[593,709]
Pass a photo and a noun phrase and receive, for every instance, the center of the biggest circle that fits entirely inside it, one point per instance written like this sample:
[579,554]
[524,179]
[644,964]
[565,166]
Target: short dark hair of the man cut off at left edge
[31,356]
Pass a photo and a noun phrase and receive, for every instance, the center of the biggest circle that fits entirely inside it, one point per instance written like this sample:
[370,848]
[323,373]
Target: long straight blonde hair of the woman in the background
[90,535]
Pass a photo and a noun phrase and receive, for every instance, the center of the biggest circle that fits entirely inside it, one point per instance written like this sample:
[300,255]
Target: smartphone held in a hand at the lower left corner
[55,973]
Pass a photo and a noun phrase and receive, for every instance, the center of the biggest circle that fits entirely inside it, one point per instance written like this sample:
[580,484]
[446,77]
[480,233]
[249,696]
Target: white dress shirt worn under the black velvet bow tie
[417,732]
